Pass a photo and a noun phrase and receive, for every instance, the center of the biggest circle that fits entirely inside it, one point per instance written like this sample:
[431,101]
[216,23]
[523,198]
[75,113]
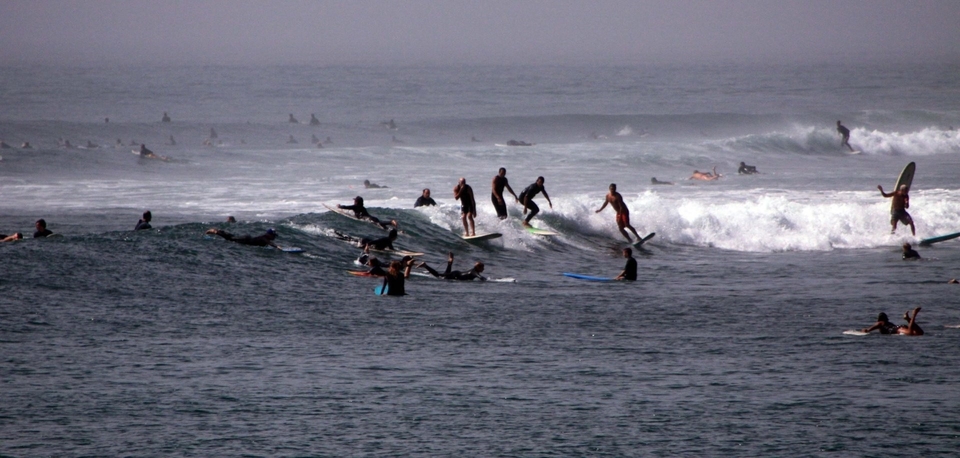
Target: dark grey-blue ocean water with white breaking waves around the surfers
[166,342]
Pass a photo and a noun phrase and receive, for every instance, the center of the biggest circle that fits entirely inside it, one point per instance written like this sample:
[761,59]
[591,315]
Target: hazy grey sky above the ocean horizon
[480,31]
